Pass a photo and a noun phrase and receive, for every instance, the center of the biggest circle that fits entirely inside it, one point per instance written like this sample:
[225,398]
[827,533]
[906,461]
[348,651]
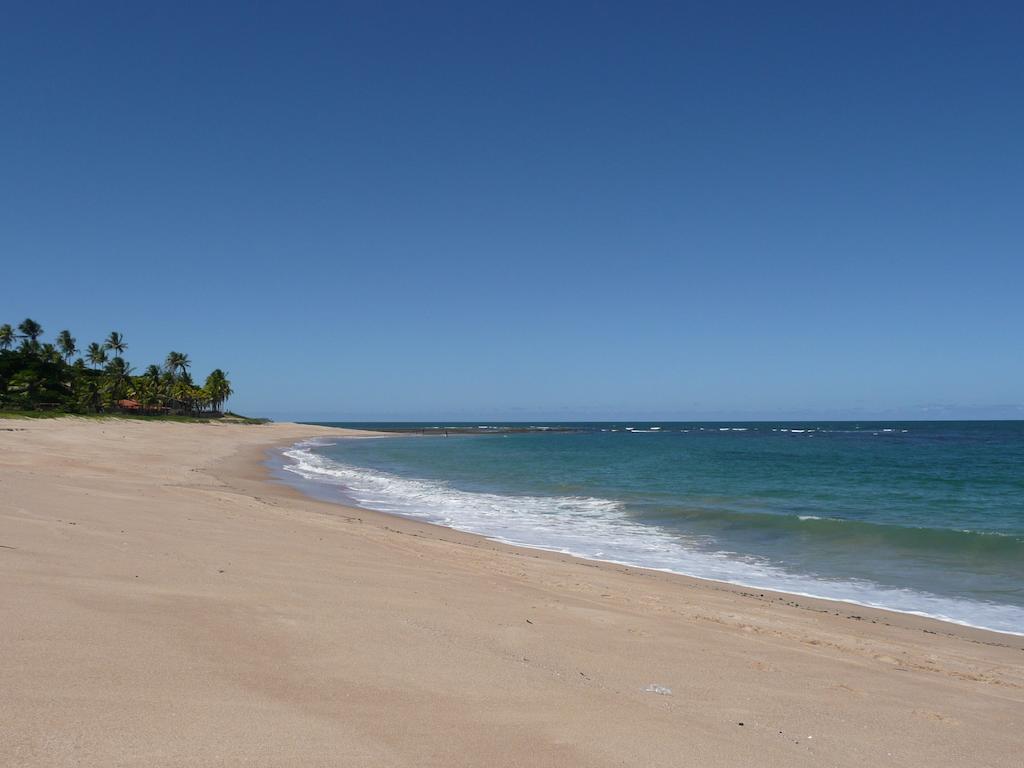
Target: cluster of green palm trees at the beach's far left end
[60,375]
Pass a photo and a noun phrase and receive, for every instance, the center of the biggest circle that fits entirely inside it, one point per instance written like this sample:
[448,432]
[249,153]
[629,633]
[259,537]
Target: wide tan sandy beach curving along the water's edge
[163,603]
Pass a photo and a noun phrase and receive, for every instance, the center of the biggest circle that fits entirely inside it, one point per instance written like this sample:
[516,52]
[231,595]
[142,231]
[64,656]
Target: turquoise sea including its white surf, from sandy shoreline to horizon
[920,518]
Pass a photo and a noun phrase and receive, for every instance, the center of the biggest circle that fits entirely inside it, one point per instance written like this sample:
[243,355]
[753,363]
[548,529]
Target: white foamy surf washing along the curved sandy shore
[602,530]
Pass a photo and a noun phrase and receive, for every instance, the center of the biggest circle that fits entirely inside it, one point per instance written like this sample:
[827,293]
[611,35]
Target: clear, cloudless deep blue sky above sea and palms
[551,210]
